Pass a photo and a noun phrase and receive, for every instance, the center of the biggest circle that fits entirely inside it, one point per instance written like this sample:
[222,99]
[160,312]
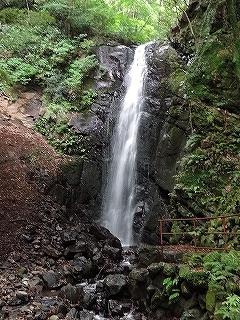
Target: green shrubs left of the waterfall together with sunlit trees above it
[49,44]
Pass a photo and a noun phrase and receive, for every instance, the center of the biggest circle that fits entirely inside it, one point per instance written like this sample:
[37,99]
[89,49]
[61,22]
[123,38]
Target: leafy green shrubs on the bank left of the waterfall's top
[34,50]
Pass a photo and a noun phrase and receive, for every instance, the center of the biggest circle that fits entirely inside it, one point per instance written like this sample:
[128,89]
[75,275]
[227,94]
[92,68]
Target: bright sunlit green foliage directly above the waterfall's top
[145,20]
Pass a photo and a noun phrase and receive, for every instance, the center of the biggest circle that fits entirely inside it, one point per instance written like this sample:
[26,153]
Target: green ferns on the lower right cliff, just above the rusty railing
[210,169]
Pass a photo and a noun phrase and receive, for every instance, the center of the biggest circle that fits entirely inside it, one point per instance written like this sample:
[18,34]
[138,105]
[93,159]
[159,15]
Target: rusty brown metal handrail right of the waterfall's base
[194,220]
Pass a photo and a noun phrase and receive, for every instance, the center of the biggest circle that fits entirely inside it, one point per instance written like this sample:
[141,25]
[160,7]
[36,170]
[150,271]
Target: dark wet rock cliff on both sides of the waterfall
[162,136]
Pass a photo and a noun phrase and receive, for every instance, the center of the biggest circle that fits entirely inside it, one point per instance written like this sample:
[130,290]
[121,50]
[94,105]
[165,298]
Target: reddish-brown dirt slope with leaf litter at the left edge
[26,159]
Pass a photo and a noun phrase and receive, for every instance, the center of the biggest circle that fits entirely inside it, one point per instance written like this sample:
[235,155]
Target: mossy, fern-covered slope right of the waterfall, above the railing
[208,183]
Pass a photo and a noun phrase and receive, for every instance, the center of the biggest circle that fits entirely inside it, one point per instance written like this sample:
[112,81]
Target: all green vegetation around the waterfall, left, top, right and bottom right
[50,44]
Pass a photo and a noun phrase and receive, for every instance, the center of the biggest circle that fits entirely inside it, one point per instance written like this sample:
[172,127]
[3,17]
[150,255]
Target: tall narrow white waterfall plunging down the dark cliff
[119,198]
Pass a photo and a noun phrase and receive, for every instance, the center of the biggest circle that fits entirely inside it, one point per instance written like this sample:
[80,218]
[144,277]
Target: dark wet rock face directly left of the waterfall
[85,176]
